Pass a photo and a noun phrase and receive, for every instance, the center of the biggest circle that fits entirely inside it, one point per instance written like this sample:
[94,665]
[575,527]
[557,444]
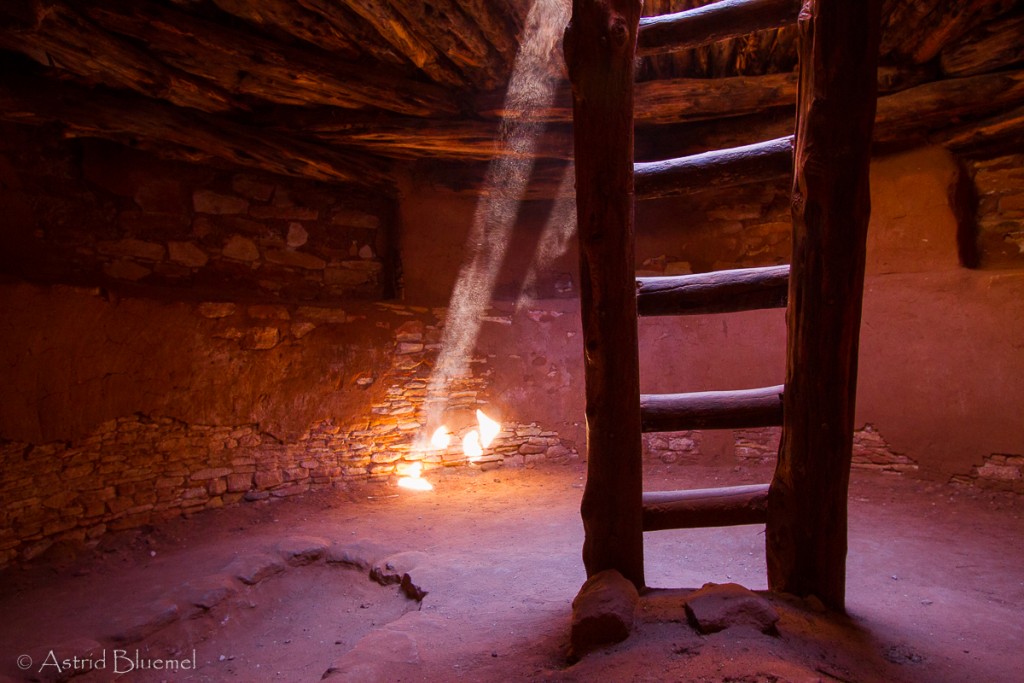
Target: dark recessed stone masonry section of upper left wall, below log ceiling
[92,214]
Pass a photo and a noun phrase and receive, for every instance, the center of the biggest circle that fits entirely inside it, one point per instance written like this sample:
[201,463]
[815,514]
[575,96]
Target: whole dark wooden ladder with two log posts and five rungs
[805,506]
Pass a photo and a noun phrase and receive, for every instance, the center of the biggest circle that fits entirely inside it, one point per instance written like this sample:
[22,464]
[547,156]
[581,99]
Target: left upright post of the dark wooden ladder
[601,44]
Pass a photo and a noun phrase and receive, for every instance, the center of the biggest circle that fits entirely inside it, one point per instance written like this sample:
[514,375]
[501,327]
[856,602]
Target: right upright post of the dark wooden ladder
[807,507]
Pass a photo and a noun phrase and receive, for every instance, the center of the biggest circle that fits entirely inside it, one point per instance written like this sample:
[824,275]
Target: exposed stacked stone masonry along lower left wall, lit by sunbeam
[140,468]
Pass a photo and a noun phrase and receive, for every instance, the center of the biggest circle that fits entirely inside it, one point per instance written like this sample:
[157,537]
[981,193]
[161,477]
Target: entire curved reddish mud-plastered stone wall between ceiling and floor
[130,400]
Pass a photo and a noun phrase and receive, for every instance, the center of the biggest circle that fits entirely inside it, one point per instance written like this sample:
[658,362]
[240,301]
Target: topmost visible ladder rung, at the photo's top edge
[719,21]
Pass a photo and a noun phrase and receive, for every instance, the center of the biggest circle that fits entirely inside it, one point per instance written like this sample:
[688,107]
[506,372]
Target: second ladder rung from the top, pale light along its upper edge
[710,170]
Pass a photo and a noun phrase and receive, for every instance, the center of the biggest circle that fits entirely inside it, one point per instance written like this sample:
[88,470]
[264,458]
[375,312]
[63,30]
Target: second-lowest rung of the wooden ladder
[712,410]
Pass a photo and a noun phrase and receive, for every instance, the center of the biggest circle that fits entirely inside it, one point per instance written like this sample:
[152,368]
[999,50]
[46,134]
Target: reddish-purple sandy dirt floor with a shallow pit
[283,591]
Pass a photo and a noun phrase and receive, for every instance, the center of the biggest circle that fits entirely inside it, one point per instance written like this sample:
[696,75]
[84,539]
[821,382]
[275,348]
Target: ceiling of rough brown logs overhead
[356,91]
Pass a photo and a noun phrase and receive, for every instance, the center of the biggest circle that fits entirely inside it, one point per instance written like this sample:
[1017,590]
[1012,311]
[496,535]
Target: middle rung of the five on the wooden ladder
[718,292]
